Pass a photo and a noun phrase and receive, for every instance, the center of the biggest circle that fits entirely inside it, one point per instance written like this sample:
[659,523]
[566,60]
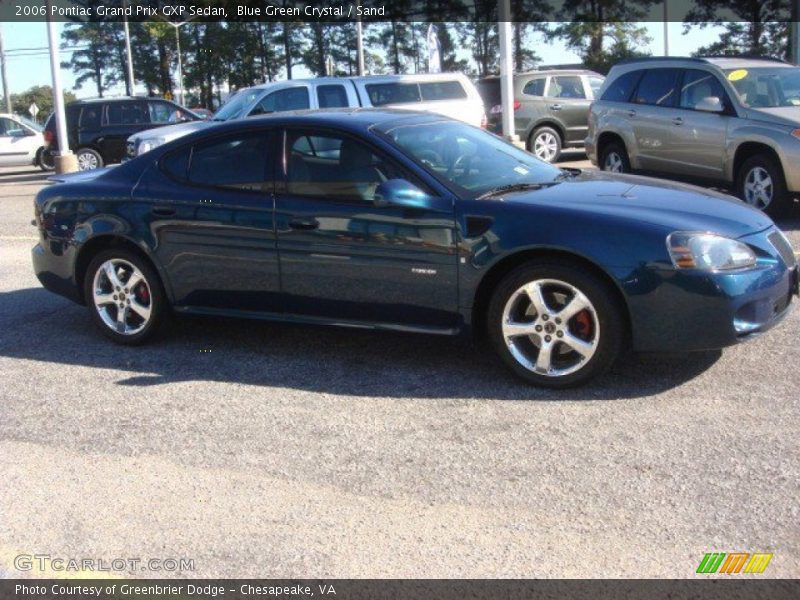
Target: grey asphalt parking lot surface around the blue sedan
[270,450]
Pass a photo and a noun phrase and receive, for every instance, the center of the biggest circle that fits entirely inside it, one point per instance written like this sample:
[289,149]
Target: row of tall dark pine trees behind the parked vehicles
[239,54]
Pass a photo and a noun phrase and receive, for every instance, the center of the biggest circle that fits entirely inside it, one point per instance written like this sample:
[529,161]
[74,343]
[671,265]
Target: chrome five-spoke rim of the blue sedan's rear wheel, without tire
[122,296]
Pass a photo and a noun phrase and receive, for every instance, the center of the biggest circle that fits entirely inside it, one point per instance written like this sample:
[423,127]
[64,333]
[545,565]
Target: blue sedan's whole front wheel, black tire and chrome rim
[555,324]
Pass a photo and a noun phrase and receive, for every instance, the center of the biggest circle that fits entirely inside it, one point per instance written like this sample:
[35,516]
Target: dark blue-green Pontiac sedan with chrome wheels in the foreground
[412,222]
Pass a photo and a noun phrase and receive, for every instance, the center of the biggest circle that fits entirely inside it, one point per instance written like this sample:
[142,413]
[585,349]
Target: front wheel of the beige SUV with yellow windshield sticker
[761,185]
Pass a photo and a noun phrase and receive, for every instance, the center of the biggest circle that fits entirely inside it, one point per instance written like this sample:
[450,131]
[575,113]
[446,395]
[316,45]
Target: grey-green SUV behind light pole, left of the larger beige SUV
[551,108]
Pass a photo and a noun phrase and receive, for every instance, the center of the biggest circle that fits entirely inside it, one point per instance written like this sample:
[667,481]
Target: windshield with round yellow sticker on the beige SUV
[767,87]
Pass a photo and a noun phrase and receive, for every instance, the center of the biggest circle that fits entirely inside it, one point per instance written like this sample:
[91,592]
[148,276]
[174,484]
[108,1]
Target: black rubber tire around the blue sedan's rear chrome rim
[156,296]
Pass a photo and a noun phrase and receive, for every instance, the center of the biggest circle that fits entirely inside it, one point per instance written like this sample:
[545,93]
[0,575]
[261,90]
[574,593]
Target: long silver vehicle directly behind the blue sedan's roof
[449,94]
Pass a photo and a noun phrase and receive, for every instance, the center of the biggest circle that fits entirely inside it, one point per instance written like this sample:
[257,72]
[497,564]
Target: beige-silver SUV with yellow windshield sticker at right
[734,121]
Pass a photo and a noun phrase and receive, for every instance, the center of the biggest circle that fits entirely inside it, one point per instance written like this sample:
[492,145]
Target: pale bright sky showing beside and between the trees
[27,71]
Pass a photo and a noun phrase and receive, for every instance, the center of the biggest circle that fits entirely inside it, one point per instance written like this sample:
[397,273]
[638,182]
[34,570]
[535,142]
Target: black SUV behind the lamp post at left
[97,129]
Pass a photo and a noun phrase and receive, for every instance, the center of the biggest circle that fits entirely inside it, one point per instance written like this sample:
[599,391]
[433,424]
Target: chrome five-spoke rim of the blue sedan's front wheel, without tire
[550,327]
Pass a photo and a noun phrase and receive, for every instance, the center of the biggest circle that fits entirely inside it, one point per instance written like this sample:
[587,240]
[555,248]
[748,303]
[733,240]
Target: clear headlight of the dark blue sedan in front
[708,252]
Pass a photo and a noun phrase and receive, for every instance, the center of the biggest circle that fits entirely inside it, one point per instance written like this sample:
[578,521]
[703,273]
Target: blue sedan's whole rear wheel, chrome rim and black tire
[124,295]
